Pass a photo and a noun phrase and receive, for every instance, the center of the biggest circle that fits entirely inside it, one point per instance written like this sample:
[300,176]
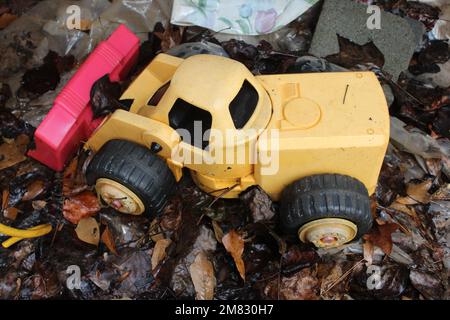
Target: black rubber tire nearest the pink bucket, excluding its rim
[138,169]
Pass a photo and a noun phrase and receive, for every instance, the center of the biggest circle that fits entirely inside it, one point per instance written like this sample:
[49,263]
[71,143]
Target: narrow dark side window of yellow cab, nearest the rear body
[243,105]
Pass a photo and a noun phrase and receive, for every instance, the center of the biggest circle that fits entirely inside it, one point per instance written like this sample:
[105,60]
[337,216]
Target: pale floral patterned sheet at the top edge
[246,17]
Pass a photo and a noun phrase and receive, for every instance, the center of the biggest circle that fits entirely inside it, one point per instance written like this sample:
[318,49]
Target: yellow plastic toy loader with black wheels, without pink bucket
[314,142]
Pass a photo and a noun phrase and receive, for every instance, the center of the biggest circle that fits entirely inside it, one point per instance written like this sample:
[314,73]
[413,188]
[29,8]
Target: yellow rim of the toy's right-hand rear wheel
[328,232]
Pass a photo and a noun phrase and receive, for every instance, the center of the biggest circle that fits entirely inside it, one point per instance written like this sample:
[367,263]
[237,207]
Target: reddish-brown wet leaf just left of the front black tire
[81,206]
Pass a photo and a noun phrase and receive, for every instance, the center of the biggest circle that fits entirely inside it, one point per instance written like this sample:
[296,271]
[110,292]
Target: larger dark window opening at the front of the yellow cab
[186,116]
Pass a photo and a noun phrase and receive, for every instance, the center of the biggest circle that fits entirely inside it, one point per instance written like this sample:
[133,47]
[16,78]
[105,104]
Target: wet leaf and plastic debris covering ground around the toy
[207,248]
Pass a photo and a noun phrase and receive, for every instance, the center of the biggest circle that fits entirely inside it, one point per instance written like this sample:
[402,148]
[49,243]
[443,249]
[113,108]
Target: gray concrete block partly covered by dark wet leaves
[397,39]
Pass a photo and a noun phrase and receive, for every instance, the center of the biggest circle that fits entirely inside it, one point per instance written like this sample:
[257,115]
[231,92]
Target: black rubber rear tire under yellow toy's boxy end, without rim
[325,196]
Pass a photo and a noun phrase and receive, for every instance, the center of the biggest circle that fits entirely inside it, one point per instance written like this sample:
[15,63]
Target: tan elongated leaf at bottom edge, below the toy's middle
[203,278]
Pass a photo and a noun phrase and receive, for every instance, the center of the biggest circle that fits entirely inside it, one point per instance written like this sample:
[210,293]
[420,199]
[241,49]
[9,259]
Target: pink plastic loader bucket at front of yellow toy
[70,121]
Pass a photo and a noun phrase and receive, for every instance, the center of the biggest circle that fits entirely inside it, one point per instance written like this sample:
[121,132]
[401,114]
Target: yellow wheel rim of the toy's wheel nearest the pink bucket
[119,197]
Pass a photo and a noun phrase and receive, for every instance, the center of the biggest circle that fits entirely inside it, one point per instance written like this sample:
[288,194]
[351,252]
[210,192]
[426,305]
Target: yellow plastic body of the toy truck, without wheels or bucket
[324,123]
